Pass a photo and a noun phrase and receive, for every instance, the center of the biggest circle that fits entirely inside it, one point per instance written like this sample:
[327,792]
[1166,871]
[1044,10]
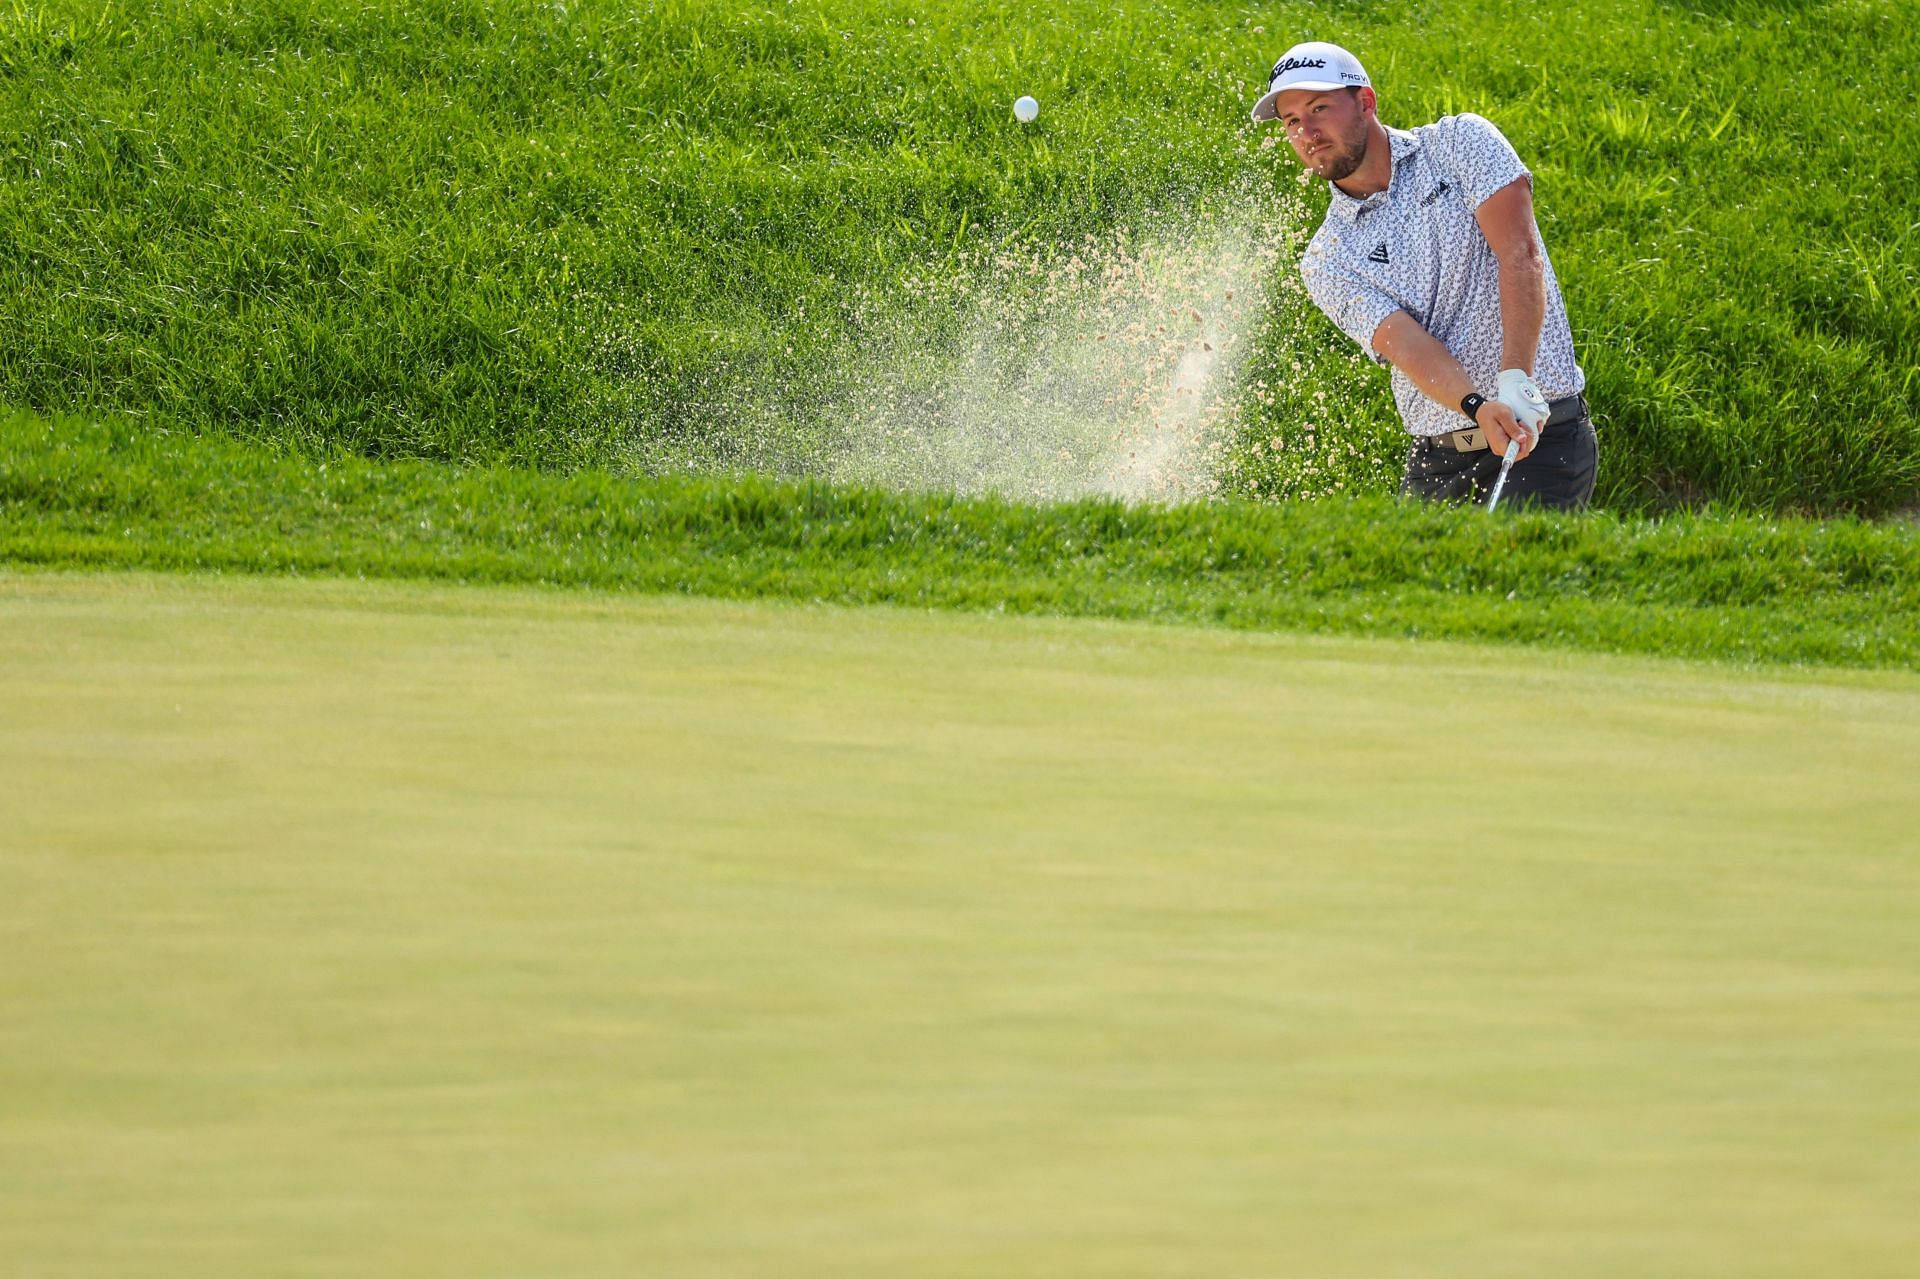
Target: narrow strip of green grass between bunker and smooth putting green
[1706,587]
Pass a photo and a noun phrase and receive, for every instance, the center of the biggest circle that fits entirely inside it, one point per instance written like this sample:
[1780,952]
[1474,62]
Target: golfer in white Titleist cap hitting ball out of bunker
[1431,260]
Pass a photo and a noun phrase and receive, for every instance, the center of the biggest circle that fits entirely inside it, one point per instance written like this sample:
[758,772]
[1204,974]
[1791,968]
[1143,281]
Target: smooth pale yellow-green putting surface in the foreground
[387,930]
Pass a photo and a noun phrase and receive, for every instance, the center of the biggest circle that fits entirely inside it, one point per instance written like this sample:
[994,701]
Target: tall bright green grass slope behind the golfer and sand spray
[640,237]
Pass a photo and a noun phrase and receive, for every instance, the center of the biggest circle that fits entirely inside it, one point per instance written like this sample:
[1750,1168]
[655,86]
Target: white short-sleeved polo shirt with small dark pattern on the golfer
[1418,249]
